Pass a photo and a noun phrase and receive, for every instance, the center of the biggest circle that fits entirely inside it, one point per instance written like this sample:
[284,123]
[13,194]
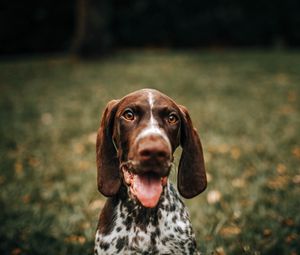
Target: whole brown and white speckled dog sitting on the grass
[135,144]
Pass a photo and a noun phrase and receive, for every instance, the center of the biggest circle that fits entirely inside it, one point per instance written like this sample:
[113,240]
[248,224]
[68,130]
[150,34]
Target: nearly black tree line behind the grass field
[91,27]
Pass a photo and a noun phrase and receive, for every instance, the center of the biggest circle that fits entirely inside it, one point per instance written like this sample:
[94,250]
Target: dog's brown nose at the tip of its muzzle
[153,148]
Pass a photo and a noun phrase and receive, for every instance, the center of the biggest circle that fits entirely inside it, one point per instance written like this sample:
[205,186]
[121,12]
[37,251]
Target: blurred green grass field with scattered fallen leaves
[245,105]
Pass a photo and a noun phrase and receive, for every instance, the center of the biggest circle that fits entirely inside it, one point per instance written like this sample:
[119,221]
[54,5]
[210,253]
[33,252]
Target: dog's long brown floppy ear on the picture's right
[191,171]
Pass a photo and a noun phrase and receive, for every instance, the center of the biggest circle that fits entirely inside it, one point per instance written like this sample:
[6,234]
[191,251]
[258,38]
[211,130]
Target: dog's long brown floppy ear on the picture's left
[108,176]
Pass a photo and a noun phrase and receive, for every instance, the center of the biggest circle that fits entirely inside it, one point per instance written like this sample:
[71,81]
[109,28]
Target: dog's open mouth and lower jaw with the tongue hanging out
[146,187]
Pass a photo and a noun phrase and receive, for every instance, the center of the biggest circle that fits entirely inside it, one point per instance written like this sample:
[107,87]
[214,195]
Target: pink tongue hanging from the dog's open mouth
[147,189]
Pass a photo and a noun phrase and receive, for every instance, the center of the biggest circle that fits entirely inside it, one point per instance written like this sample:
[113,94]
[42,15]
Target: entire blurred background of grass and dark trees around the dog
[234,64]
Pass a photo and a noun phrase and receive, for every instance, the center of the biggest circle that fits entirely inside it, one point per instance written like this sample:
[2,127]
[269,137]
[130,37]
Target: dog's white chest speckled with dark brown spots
[164,231]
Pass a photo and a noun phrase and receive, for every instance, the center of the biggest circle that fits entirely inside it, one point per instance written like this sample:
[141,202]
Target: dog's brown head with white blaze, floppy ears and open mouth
[135,144]
